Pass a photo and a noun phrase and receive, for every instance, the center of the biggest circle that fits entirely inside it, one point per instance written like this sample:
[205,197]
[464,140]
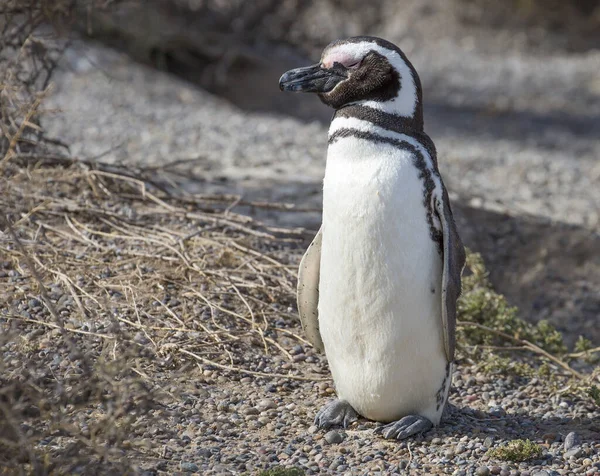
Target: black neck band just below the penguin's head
[387,120]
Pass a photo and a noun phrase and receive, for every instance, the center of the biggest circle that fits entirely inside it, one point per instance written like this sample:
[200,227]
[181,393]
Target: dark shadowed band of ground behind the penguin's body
[550,270]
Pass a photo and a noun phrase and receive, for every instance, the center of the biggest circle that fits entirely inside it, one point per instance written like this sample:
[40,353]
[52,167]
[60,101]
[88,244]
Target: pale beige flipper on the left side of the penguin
[308,292]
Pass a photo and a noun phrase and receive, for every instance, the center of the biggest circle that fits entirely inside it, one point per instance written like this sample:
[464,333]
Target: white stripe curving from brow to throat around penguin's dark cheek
[404,104]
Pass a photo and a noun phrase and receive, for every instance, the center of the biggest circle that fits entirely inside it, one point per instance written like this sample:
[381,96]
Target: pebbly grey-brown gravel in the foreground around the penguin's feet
[232,428]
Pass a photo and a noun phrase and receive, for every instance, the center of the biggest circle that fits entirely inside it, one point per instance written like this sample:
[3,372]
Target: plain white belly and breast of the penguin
[380,284]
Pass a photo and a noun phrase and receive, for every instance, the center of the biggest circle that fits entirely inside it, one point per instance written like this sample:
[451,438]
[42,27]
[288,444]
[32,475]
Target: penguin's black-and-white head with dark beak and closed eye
[360,70]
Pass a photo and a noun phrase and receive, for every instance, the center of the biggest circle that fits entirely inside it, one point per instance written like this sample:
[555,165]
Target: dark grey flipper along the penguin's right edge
[454,262]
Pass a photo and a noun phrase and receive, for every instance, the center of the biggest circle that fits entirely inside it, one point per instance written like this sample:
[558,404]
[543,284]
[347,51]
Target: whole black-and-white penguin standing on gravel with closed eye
[378,285]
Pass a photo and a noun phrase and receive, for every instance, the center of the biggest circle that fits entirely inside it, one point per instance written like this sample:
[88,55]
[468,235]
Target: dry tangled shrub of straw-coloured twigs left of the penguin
[111,295]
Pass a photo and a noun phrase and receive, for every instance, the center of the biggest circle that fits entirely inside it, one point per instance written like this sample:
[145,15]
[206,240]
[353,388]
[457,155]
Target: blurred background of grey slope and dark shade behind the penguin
[189,90]
